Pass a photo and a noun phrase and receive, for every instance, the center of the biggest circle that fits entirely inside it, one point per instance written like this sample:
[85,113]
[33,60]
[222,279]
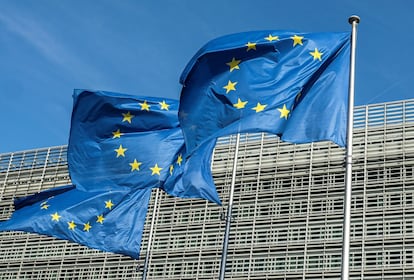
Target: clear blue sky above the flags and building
[48,48]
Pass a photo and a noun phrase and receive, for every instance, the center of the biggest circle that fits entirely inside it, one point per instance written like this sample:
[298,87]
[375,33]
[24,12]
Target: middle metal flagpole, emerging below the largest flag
[229,212]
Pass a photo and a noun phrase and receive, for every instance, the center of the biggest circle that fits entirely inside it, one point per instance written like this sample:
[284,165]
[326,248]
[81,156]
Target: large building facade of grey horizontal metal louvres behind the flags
[288,212]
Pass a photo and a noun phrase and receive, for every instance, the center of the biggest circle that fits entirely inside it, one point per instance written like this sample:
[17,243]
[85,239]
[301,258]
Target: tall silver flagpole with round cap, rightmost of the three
[353,20]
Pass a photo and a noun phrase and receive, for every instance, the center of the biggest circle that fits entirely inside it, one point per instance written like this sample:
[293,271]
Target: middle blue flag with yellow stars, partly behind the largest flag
[120,141]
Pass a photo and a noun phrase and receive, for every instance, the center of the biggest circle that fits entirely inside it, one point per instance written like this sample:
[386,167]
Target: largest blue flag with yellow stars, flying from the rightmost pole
[291,84]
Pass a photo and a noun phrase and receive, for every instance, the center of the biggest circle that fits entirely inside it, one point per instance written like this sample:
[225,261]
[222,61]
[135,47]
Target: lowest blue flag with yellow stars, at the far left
[108,221]
